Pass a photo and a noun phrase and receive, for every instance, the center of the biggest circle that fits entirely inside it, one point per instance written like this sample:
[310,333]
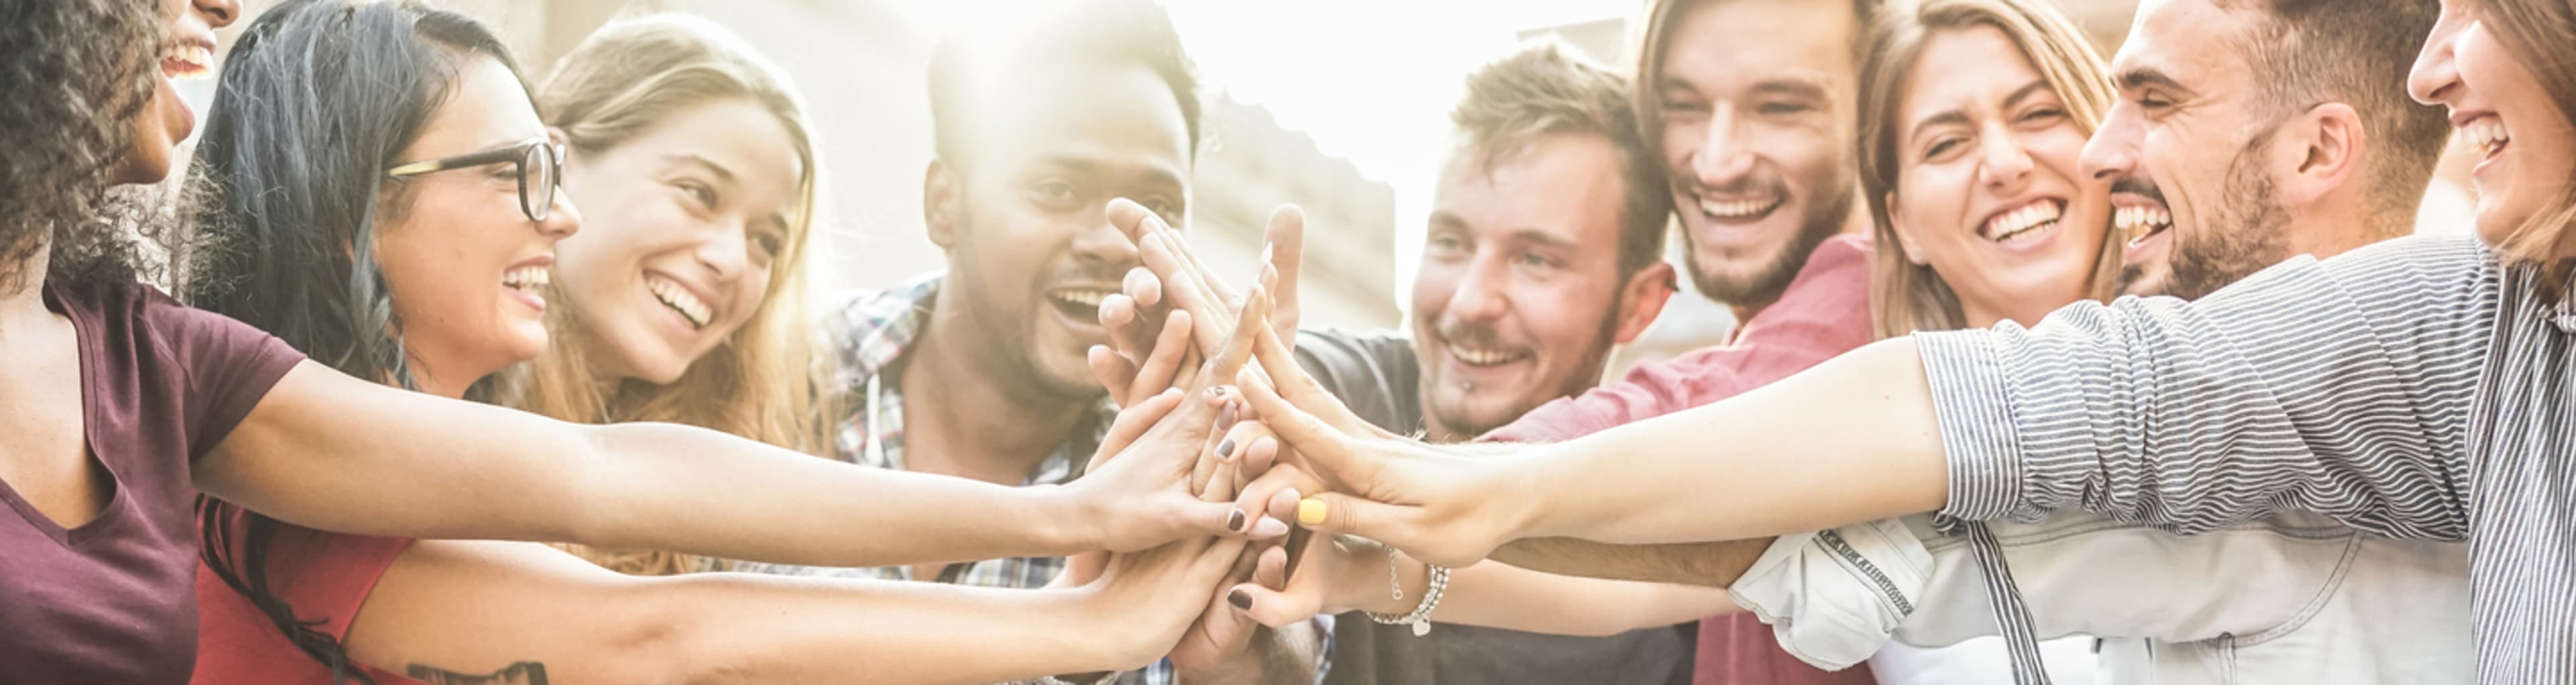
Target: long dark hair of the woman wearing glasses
[316,102]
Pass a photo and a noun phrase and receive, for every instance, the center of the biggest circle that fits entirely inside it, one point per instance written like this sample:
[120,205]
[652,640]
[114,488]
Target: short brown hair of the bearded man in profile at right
[2312,53]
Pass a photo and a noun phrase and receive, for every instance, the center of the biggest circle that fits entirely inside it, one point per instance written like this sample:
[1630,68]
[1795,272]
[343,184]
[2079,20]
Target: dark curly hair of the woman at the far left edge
[76,76]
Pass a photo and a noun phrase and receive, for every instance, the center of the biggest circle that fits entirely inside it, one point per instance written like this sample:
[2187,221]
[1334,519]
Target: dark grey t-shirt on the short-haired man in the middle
[1382,382]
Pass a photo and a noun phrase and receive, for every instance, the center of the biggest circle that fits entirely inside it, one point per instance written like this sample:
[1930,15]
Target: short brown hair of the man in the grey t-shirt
[1549,91]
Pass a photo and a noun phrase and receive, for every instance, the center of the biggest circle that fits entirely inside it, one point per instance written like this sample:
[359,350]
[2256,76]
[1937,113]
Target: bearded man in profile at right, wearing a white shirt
[2217,174]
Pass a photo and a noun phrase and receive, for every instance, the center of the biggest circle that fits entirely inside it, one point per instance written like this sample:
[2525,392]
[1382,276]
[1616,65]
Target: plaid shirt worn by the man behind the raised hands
[872,336]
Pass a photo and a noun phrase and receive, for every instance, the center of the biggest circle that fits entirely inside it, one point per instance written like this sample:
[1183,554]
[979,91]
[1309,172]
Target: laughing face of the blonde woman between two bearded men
[1987,174]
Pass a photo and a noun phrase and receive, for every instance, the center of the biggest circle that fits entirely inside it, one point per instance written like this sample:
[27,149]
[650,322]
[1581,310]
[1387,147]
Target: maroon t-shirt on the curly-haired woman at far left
[161,385]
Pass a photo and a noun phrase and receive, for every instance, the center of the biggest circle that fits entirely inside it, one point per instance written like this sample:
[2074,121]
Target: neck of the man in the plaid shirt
[965,421]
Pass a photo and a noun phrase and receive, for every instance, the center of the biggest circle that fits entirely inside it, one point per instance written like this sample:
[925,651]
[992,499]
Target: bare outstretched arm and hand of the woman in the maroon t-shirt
[339,455]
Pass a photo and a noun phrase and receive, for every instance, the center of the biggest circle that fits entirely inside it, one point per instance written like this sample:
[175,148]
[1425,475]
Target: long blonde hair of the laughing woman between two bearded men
[1908,297]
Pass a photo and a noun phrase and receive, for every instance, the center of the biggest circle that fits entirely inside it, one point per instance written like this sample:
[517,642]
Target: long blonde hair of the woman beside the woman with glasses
[761,382]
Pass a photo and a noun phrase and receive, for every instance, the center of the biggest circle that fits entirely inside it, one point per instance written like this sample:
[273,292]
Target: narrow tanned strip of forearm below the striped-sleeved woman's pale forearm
[1709,565]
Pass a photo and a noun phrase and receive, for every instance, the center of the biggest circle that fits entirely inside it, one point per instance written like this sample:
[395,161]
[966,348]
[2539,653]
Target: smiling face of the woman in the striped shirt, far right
[2500,109]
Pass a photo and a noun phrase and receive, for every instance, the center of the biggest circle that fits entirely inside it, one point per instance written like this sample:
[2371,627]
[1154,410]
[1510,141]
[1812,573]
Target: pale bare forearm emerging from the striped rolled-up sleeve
[1846,442]
